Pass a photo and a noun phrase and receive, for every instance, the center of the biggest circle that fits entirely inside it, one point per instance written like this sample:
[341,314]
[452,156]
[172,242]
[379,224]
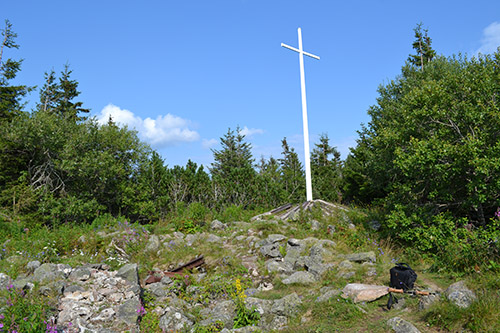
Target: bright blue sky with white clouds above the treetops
[183,72]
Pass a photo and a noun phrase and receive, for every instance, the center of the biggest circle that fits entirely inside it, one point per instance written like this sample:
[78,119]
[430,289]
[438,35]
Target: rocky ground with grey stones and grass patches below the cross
[282,275]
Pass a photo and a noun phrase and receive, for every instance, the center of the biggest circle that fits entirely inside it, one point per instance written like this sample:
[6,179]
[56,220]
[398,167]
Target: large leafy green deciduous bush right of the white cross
[431,152]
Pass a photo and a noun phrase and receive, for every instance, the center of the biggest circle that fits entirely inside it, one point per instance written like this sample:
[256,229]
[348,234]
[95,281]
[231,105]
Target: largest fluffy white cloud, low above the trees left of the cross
[163,131]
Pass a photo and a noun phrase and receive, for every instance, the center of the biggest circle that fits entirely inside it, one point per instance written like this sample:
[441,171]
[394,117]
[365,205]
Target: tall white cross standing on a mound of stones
[304,111]
